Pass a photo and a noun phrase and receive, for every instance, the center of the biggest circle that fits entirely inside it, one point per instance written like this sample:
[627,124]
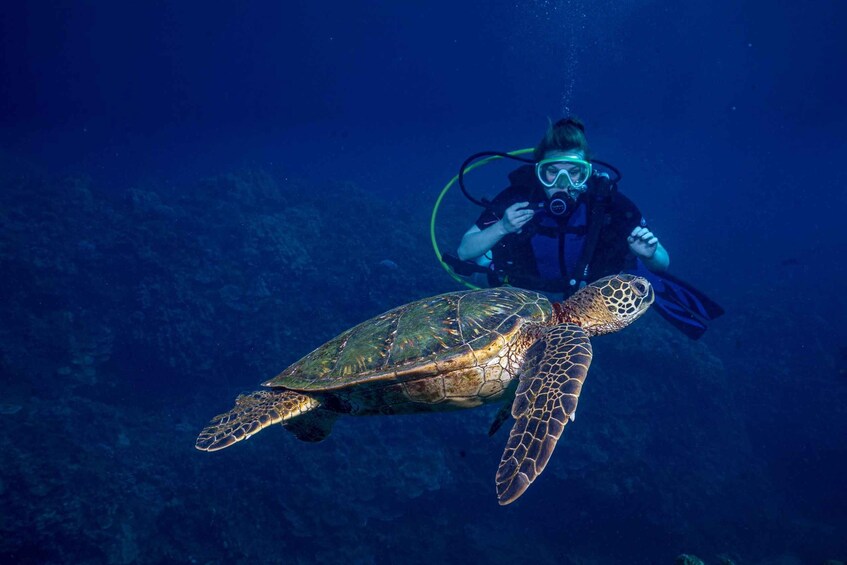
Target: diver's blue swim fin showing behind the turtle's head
[685,307]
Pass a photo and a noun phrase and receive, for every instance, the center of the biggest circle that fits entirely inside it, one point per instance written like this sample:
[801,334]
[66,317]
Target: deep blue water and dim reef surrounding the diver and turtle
[193,195]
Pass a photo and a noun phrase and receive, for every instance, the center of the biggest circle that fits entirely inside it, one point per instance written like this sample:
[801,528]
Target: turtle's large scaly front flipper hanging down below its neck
[550,382]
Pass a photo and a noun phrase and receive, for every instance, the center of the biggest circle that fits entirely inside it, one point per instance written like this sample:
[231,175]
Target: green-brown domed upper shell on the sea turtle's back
[424,338]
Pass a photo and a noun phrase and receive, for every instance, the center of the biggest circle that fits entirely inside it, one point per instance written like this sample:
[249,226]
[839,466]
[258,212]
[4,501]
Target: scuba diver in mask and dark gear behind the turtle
[562,224]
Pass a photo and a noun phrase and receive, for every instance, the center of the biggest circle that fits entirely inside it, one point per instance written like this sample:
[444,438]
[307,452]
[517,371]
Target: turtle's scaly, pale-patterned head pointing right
[609,304]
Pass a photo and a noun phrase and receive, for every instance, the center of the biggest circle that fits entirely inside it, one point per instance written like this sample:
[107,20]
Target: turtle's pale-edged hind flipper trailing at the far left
[252,413]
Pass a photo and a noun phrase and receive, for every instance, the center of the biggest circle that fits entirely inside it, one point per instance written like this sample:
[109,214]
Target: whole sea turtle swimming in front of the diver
[455,350]
